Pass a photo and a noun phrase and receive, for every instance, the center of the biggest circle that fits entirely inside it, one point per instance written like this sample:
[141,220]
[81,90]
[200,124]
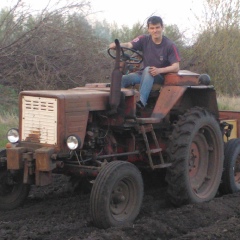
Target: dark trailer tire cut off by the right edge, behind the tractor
[231,173]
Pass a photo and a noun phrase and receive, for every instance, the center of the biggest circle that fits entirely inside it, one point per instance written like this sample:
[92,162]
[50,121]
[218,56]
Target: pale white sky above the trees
[128,12]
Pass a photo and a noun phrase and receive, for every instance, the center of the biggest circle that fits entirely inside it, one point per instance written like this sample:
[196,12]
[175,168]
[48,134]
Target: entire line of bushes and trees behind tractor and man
[61,47]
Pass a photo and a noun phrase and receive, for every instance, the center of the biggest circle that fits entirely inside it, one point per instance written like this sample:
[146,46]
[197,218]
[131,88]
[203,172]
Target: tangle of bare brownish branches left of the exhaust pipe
[57,48]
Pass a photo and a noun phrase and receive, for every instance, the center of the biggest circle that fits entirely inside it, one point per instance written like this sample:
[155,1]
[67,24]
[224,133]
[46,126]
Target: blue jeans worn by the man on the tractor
[146,81]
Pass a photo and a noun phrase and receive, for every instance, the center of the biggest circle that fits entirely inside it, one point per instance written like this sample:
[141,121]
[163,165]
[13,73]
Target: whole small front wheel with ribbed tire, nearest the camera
[117,194]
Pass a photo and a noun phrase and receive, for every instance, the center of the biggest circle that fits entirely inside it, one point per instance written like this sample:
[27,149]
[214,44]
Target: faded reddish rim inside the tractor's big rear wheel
[202,163]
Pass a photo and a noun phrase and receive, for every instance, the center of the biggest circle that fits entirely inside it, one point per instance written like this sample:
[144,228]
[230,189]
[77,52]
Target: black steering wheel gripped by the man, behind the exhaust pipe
[128,55]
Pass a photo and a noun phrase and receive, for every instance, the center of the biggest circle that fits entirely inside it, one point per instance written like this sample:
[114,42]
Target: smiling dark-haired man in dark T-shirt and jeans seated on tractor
[160,56]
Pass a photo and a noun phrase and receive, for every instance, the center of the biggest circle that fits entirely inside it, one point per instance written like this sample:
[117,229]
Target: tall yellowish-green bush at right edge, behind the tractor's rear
[217,49]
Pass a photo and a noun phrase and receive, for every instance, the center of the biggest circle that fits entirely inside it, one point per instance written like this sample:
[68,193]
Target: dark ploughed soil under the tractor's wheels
[55,213]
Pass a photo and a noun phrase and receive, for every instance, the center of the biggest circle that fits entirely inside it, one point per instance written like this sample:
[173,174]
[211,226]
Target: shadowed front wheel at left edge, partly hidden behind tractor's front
[13,192]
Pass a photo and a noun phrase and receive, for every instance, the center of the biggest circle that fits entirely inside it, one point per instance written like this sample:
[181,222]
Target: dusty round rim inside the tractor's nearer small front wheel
[122,199]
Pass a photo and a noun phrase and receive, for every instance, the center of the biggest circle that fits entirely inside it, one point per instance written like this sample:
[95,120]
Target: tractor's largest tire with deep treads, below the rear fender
[196,152]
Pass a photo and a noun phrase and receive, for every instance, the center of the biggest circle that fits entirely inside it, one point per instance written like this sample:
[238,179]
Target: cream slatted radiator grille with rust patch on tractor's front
[39,120]
